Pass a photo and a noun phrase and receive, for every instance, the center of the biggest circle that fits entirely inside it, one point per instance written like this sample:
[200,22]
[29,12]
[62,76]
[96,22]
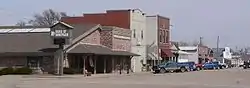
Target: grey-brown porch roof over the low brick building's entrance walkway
[98,49]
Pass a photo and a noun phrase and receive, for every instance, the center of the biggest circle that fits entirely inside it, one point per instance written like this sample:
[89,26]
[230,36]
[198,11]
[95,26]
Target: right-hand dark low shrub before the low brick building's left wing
[23,71]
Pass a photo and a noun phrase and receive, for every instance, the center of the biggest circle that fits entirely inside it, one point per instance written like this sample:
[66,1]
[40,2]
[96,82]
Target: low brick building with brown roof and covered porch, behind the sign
[86,51]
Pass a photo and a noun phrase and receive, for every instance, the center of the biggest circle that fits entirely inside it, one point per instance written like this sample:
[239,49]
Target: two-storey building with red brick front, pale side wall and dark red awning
[158,39]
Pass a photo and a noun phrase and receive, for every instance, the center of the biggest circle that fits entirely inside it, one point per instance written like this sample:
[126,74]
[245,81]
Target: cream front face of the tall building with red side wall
[138,27]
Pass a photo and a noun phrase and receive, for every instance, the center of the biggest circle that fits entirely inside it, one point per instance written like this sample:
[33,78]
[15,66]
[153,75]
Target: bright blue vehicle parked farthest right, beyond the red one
[211,65]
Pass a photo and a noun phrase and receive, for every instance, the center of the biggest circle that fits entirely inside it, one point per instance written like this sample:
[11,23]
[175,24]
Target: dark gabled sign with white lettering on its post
[61,34]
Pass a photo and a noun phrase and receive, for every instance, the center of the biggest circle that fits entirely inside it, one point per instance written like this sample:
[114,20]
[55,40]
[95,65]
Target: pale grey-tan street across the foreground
[228,78]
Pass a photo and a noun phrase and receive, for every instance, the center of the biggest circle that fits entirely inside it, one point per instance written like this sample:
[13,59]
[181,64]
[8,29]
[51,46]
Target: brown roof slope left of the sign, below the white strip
[24,42]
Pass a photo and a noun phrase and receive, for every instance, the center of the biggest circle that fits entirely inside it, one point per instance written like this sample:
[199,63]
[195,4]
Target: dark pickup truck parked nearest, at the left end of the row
[170,67]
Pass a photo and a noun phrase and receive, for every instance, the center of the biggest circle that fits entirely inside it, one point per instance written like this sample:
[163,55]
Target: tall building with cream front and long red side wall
[133,19]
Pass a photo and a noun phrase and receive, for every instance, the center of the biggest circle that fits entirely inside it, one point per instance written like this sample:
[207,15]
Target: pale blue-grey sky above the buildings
[191,19]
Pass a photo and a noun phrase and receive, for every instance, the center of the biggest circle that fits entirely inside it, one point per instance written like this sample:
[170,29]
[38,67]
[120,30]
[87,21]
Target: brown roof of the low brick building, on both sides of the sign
[24,41]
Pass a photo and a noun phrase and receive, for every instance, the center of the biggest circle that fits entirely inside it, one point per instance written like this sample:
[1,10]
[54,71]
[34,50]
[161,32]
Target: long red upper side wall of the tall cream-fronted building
[118,18]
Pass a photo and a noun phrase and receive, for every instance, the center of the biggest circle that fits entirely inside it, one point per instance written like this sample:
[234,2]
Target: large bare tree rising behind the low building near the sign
[47,18]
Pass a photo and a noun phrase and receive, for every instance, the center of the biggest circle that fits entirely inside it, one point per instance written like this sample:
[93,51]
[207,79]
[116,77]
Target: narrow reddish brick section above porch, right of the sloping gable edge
[106,38]
